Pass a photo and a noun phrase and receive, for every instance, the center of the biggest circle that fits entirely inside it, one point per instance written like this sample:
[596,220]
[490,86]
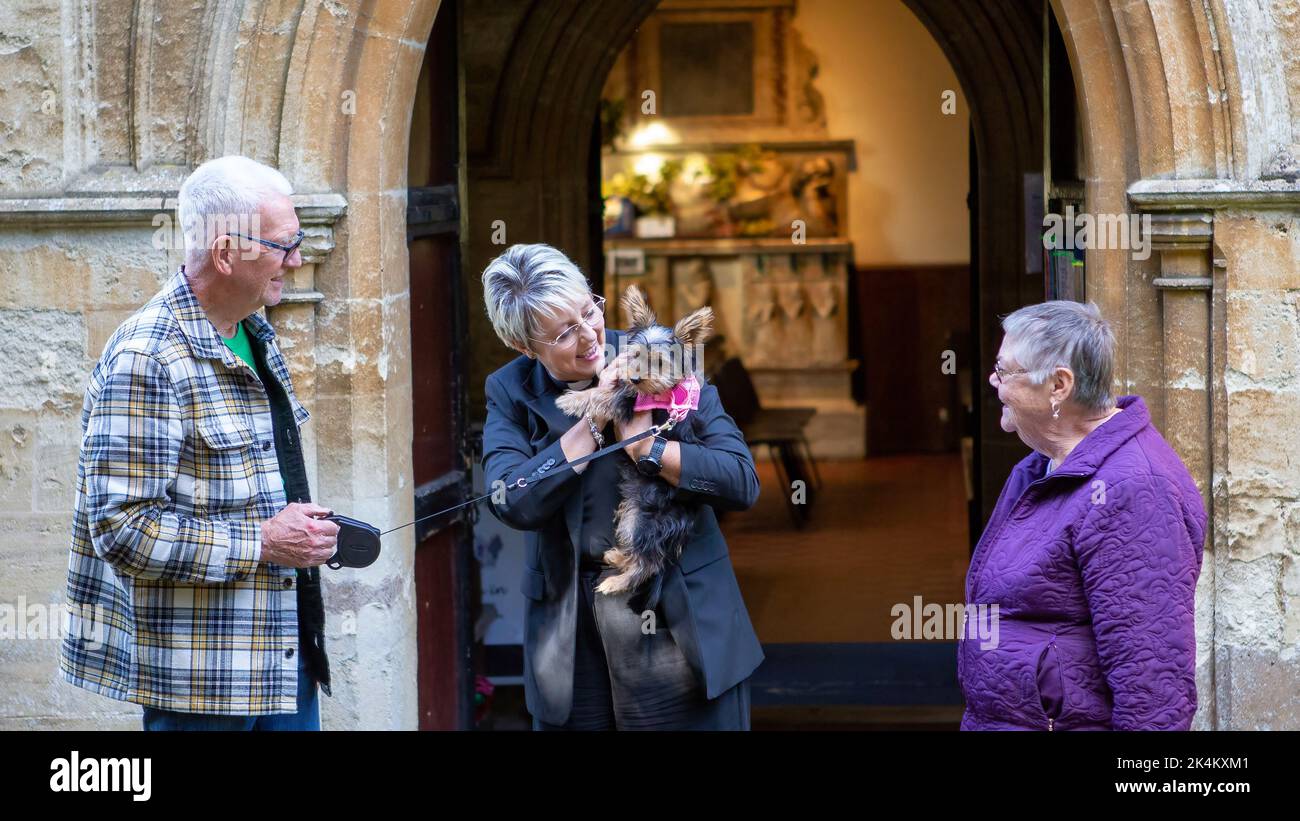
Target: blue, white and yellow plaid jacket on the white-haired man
[171,606]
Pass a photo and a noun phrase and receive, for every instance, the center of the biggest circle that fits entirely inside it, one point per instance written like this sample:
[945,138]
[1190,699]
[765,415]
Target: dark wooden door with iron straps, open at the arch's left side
[444,572]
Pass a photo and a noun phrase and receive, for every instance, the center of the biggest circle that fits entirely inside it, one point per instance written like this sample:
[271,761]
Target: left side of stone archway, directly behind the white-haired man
[326,94]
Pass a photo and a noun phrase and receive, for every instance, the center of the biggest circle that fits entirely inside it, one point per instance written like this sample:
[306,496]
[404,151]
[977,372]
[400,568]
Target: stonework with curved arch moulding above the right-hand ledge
[1208,112]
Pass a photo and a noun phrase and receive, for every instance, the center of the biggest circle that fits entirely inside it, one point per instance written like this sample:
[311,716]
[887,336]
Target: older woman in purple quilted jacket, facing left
[1091,557]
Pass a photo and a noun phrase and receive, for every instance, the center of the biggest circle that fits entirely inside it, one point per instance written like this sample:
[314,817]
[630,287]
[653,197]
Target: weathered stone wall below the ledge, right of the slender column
[1258,536]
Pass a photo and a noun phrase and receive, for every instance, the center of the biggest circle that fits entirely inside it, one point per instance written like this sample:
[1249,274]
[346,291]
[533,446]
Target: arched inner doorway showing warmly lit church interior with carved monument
[808,176]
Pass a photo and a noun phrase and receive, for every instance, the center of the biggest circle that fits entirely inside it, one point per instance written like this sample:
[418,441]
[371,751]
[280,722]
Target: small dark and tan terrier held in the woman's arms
[651,527]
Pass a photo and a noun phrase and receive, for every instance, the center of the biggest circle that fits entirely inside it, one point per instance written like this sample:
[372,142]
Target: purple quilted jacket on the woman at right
[1094,574]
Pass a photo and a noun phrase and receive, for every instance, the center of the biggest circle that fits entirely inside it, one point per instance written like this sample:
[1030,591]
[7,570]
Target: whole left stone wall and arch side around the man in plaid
[106,107]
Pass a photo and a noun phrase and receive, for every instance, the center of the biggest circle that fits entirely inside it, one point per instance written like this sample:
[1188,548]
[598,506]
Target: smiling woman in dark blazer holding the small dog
[595,661]
